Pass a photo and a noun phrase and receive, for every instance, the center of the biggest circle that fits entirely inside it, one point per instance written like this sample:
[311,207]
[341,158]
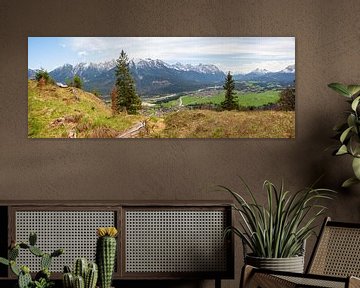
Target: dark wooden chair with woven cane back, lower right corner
[335,262]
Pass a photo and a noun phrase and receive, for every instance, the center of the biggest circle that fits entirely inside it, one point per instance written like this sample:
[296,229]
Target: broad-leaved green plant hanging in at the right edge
[349,132]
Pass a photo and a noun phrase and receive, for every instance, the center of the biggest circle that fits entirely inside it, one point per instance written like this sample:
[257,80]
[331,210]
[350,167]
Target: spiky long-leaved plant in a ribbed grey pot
[275,233]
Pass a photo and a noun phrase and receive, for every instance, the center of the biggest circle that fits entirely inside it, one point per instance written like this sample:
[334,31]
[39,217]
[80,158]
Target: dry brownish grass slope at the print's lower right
[228,124]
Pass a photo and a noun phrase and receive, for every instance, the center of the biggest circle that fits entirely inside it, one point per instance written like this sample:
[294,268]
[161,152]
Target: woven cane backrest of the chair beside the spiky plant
[337,251]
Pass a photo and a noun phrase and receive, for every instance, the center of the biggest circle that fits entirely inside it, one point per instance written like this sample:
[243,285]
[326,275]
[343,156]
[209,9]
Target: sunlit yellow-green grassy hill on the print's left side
[55,112]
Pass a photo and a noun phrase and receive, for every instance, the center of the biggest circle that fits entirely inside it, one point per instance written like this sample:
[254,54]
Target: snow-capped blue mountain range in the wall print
[153,77]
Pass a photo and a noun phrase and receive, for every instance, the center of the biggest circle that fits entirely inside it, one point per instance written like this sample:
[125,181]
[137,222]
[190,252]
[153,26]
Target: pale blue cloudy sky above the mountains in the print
[235,54]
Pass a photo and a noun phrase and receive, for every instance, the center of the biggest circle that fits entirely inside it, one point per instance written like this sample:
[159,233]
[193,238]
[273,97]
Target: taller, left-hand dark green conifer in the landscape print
[126,99]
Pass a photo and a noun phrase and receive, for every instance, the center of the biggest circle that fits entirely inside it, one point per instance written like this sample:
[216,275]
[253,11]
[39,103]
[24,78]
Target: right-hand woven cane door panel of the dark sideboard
[175,241]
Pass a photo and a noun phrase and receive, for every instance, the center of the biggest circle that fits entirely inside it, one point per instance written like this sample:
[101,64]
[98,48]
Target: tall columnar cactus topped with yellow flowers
[105,254]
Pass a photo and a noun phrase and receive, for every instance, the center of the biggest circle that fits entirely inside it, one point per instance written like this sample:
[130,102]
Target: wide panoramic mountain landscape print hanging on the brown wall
[161,87]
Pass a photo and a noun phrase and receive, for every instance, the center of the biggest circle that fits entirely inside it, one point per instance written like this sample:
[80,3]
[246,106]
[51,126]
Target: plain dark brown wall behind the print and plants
[327,49]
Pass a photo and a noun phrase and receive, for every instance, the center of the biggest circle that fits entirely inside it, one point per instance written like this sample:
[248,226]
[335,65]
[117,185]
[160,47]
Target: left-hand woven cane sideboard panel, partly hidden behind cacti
[74,231]
